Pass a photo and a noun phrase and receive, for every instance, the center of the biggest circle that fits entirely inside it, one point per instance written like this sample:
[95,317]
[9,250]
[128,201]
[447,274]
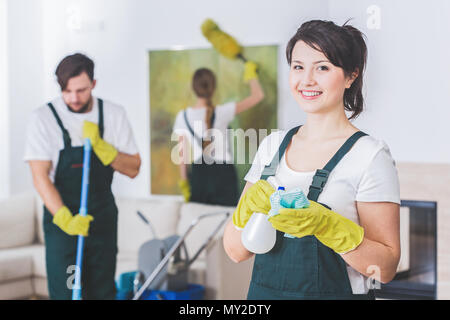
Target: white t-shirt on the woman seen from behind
[219,149]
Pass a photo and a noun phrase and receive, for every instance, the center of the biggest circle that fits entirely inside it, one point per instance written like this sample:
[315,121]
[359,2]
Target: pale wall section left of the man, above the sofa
[25,83]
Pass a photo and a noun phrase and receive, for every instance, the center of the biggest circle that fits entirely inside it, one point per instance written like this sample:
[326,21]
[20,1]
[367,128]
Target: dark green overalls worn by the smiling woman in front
[303,268]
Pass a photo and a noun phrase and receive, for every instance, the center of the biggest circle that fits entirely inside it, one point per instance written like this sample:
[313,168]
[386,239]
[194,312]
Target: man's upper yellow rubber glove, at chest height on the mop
[104,151]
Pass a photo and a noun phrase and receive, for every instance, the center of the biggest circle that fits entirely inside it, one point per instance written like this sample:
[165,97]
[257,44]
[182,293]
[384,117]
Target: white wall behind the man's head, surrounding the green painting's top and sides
[118,34]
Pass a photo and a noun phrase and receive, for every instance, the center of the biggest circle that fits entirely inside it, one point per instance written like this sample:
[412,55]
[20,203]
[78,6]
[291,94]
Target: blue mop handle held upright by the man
[76,293]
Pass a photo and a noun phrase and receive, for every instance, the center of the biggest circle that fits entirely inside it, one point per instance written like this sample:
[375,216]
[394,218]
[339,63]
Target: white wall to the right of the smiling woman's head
[407,86]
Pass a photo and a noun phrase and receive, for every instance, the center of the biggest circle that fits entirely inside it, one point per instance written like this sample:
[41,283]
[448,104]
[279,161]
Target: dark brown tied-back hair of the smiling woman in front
[344,47]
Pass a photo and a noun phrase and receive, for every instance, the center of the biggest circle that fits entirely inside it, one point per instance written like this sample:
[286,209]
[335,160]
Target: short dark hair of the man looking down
[72,66]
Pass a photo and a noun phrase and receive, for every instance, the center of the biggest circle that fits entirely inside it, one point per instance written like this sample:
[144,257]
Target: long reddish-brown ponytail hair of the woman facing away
[204,85]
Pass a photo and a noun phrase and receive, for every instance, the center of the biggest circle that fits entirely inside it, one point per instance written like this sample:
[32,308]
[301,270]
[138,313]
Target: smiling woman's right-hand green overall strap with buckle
[321,176]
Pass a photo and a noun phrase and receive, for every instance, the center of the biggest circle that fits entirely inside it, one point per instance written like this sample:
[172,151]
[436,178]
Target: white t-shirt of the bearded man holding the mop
[45,138]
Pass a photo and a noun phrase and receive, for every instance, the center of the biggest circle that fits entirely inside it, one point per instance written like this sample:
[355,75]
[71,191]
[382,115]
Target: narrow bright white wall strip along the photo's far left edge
[4,145]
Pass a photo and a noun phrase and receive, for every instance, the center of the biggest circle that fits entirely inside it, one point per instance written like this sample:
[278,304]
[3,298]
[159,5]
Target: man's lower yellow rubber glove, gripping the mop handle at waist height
[72,225]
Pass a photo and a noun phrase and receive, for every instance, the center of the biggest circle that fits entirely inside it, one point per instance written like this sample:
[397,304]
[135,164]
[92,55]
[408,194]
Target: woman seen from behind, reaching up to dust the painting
[212,178]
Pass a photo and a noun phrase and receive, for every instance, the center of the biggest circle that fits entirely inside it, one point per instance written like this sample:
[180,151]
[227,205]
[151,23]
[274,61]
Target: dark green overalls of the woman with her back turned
[212,183]
